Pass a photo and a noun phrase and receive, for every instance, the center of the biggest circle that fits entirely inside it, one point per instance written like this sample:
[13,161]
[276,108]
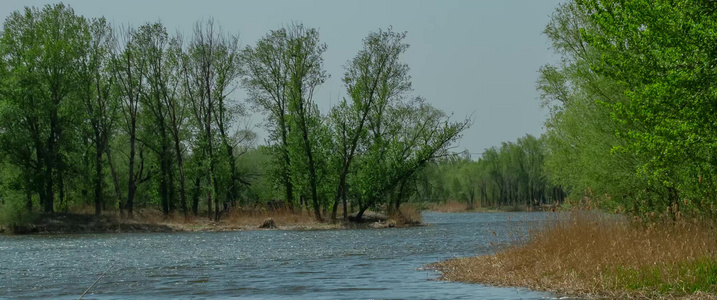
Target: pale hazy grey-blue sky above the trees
[466,57]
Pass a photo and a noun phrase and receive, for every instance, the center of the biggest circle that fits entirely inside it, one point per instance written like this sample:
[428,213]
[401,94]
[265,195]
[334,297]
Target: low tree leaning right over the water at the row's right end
[403,138]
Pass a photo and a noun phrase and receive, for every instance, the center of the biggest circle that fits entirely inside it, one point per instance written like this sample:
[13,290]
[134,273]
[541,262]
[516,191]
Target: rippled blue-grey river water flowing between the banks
[271,264]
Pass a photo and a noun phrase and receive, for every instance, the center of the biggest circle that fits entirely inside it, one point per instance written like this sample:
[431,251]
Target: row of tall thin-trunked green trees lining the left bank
[133,117]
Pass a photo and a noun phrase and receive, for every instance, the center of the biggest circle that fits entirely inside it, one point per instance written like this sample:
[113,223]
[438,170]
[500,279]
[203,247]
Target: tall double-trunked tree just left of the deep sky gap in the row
[283,71]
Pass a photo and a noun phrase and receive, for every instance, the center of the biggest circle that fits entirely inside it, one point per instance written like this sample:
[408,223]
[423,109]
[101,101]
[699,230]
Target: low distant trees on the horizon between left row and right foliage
[509,175]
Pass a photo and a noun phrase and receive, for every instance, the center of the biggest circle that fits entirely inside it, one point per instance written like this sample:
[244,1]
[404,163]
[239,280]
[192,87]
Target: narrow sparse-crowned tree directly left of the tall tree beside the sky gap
[211,71]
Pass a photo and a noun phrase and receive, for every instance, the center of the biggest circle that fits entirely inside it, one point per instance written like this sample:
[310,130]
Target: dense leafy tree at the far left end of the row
[43,50]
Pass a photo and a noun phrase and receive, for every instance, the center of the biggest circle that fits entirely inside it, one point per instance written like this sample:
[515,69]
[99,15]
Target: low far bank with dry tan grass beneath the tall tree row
[154,221]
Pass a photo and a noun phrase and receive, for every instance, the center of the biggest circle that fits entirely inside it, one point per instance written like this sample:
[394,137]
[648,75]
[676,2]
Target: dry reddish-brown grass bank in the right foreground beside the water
[591,254]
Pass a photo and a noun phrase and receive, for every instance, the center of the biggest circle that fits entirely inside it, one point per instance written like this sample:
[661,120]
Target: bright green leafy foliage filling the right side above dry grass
[632,104]
